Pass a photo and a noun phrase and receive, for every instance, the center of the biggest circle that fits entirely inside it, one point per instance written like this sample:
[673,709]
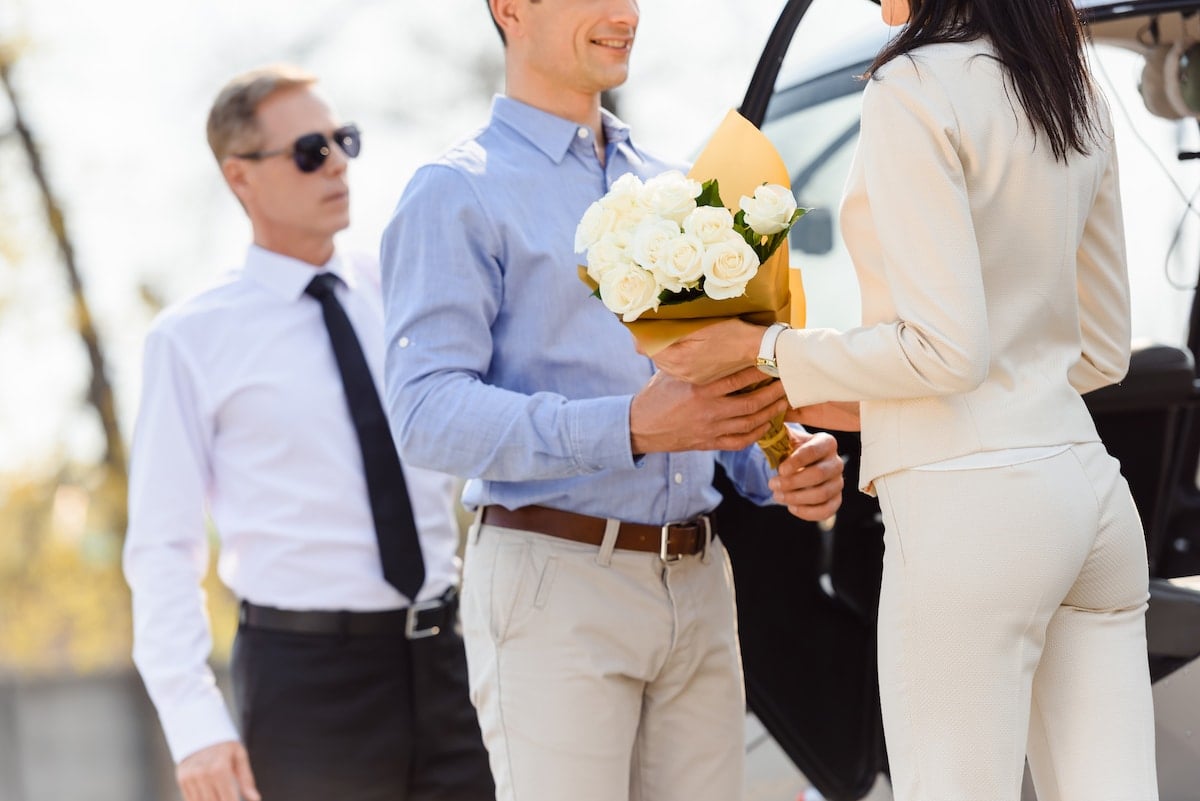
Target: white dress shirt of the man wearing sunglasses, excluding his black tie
[243,415]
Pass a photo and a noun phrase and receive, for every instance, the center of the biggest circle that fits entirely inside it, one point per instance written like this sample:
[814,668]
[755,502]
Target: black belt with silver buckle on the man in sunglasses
[418,622]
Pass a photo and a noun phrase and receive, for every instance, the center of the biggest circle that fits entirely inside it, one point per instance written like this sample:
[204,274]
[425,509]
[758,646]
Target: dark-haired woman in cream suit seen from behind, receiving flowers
[985,220]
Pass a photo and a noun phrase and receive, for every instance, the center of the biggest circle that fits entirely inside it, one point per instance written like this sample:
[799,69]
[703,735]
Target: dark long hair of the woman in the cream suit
[1041,46]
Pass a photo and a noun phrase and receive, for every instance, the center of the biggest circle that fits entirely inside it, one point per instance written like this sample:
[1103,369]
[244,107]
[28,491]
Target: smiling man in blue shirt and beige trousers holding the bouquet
[601,633]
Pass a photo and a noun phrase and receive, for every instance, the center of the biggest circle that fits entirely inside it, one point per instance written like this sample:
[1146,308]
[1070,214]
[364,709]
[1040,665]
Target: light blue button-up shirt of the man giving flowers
[501,368]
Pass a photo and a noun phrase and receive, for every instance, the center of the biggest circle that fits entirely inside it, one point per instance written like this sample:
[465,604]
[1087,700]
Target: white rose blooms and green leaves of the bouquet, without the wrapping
[671,240]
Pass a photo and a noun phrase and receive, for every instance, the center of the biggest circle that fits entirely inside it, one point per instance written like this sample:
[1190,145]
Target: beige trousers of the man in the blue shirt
[601,674]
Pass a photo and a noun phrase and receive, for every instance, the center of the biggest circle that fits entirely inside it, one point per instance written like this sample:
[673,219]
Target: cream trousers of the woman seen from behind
[1012,621]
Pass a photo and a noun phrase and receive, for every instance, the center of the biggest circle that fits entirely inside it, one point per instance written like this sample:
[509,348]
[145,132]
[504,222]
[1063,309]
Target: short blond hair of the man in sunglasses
[233,122]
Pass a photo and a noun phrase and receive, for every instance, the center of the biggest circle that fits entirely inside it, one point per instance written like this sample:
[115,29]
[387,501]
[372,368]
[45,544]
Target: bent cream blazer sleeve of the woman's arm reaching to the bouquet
[938,344]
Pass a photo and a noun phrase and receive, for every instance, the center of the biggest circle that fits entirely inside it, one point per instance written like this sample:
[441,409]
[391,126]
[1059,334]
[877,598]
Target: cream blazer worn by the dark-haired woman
[993,278]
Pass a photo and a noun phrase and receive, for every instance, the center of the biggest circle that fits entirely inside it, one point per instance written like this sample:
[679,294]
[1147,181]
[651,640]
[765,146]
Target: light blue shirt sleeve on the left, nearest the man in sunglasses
[443,290]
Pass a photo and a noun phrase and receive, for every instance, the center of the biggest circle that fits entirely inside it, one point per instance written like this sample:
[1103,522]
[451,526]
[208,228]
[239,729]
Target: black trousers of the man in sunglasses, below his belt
[359,718]
